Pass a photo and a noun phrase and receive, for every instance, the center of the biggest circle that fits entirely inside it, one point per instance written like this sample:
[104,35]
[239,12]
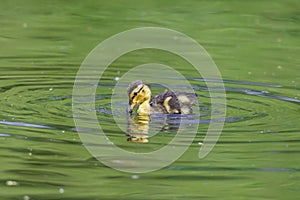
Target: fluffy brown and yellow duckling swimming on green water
[167,102]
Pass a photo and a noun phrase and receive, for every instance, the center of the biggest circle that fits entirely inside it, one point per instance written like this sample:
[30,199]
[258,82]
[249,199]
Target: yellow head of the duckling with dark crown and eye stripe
[138,93]
